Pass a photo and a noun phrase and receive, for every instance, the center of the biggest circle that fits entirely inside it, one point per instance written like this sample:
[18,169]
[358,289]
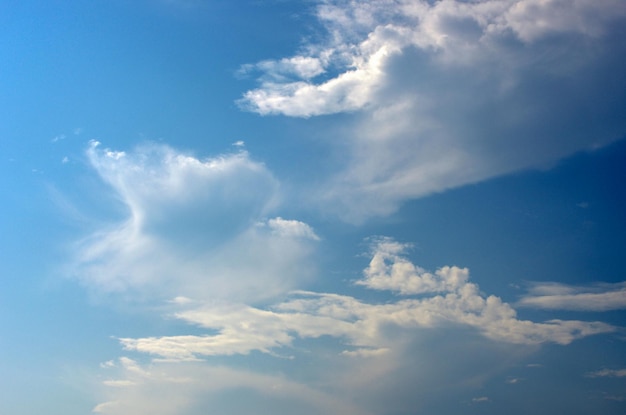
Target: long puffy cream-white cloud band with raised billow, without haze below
[452,301]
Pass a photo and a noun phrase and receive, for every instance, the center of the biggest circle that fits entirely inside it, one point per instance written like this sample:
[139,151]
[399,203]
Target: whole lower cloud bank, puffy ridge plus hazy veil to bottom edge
[374,344]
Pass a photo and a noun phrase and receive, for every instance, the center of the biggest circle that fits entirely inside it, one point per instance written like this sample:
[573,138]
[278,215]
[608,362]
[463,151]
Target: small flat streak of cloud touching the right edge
[555,296]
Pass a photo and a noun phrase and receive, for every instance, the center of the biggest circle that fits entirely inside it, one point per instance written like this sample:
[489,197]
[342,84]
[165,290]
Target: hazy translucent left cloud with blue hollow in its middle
[192,228]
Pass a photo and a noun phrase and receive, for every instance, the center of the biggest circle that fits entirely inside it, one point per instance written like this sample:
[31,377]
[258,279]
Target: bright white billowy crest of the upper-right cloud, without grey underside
[366,37]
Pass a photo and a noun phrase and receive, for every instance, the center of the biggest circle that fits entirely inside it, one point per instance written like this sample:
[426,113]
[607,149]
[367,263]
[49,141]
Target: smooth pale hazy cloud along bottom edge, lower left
[166,389]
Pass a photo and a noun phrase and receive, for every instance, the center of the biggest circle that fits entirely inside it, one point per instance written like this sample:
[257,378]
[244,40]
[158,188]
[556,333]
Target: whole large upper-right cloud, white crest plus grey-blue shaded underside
[452,92]
